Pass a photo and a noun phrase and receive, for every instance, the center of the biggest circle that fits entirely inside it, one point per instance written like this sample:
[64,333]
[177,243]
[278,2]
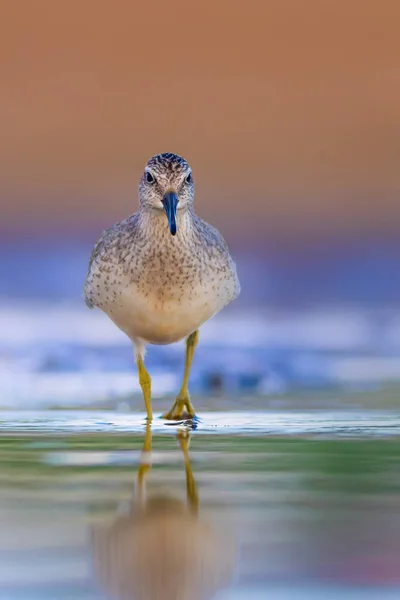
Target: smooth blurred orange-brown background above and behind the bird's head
[288,111]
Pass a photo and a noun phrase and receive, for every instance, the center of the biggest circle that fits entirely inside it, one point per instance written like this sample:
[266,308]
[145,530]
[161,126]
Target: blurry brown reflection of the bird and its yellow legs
[162,549]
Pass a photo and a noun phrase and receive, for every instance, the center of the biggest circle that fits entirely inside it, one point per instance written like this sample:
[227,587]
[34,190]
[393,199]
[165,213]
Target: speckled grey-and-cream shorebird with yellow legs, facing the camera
[162,272]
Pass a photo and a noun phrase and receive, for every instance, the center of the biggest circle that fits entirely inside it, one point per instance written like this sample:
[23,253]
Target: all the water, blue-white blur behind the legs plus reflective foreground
[293,485]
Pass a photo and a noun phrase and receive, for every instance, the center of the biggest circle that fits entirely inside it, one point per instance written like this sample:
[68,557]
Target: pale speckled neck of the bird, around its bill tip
[154,222]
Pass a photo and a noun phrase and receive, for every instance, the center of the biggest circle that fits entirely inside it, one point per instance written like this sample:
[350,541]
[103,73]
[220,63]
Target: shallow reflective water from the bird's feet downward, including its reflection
[290,505]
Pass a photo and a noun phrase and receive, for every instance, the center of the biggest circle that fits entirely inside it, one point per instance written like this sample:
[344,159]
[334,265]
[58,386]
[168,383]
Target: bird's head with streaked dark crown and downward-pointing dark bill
[167,185]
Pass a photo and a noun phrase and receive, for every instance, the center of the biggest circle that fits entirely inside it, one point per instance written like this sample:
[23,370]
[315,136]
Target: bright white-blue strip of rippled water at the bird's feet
[362,423]
